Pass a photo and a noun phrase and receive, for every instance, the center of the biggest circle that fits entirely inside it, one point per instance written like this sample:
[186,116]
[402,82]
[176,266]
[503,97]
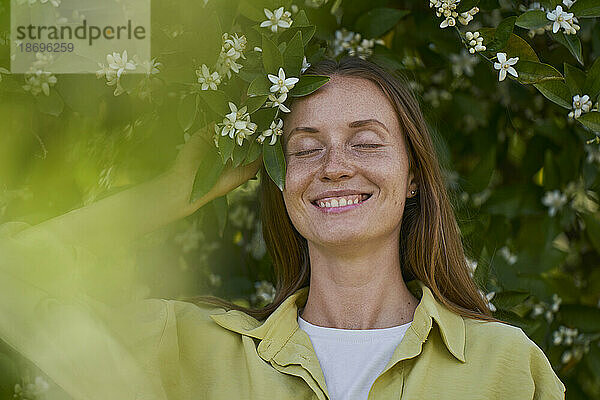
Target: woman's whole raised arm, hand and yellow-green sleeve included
[91,350]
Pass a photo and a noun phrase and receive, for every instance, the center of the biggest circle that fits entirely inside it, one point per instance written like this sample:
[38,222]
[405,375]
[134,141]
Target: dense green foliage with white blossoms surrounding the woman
[510,90]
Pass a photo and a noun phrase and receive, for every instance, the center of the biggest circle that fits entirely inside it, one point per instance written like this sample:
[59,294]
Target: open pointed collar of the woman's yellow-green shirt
[282,324]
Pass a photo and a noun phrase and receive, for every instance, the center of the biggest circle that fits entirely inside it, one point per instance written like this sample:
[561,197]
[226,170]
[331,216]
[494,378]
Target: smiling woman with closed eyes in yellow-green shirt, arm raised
[374,299]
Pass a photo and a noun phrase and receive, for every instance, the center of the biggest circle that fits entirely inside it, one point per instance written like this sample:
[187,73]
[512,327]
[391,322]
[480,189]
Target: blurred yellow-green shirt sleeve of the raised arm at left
[90,349]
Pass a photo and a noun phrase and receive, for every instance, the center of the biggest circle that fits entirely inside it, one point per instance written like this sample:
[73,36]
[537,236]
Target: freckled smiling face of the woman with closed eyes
[347,167]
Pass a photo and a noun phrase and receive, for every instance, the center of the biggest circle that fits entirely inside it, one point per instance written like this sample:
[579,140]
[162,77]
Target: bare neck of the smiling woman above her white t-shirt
[358,288]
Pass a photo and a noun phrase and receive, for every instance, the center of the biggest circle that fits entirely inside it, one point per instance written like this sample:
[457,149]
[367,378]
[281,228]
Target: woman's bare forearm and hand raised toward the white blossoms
[131,213]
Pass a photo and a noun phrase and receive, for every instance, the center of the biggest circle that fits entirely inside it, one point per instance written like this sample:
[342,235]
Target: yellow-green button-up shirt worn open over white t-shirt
[168,349]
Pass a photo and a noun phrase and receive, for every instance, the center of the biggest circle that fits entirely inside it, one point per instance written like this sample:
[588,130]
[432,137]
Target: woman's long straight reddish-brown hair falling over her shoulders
[431,249]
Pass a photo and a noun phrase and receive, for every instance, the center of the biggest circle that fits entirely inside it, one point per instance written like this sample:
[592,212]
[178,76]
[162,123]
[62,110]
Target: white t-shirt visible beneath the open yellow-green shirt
[351,359]
